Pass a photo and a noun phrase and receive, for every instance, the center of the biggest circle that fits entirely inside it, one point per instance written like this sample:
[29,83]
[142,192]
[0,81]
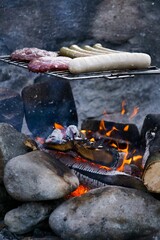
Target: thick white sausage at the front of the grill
[114,61]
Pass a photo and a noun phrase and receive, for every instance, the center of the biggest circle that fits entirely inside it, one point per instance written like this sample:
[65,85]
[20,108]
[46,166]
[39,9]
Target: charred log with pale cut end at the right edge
[151,159]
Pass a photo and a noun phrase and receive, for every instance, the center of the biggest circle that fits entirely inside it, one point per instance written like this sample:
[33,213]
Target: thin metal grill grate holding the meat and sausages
[105,74]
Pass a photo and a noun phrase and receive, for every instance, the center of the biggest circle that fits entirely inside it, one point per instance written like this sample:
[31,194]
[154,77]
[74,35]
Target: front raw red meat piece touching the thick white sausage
[44,64]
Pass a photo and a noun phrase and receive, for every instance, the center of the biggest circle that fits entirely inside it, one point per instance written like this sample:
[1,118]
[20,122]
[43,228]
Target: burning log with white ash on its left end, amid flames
[70,139]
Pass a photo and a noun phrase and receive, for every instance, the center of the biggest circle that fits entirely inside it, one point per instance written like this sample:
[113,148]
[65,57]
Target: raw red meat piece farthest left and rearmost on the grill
[28,54]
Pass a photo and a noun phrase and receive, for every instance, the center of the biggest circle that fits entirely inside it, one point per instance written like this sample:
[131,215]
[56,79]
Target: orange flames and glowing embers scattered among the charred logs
[126,155]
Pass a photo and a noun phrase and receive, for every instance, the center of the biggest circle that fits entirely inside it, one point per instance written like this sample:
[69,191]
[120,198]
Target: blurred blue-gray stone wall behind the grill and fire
[123,25]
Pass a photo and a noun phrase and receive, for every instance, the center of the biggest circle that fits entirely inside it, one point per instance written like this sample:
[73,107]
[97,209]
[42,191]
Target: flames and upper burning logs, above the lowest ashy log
[106,145]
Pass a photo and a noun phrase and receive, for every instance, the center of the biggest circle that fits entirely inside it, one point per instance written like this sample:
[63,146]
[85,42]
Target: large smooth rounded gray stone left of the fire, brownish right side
[37,176]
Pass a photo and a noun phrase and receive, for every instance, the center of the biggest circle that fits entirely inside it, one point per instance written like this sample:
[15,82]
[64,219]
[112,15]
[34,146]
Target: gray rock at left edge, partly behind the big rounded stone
[11,145]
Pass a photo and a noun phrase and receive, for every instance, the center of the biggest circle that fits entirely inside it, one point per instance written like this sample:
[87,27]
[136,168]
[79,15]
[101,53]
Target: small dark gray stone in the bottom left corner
[24,218]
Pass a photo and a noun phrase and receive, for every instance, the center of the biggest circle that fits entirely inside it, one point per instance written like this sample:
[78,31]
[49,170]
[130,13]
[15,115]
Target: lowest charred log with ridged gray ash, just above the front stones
[95,175]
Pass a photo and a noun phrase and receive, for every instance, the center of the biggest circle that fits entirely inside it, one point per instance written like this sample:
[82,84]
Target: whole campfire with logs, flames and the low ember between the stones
[96,153]
